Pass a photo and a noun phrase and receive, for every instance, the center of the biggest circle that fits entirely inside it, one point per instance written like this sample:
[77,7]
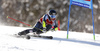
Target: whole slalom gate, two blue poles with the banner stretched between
[82,3]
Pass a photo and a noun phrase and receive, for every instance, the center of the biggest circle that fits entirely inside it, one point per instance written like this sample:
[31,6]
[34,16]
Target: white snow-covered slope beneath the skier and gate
[77,41]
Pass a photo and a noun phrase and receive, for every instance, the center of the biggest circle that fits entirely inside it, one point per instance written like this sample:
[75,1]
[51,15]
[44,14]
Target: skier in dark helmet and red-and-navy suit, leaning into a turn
[44,24]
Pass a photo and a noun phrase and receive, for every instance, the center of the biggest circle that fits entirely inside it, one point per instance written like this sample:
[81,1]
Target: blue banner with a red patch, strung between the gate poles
[82,3]
